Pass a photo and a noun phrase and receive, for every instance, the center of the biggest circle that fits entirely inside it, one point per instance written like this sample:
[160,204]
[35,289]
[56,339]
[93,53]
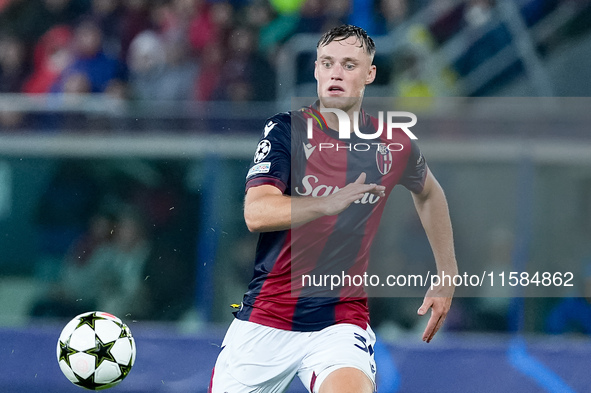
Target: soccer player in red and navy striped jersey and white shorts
[317,210]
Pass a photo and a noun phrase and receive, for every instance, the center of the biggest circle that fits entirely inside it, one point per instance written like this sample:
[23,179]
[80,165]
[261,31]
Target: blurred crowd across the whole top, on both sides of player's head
[213,49]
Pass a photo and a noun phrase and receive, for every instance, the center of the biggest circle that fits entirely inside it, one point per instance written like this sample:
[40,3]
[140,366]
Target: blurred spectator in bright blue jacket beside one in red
[90,59]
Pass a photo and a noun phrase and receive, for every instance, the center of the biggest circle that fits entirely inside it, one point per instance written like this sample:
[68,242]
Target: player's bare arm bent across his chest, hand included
[267,209]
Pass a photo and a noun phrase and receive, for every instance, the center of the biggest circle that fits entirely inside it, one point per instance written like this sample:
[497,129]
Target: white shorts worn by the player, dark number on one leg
[261,359]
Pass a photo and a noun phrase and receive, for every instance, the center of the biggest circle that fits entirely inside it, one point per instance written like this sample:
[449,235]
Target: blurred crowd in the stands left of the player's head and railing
[141,49]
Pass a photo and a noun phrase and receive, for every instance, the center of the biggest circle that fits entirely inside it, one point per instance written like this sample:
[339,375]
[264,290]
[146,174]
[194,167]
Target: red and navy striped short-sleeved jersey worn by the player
[319,166]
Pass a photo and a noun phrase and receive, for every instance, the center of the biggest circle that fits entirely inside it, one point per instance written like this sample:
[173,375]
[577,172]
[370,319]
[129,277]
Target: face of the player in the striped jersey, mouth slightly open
[343,69]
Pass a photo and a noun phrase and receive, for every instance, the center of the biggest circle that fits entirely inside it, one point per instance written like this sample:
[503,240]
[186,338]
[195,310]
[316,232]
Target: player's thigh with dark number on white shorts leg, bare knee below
[342,350]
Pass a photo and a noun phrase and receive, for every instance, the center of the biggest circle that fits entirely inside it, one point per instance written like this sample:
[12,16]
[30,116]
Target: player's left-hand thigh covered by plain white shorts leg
[255,358]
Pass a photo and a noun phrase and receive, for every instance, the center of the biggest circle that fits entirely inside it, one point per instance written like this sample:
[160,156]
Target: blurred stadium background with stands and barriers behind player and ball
[146,113]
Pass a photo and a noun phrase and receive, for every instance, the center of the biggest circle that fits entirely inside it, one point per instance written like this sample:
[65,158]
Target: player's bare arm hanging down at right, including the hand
[433,211]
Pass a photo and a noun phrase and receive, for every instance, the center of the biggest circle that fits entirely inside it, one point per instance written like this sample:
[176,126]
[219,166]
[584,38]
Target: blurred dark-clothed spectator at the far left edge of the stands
[13,67]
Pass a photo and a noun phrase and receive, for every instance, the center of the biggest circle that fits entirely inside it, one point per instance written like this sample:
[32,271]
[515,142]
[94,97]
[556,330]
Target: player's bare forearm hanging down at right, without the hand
[434,214]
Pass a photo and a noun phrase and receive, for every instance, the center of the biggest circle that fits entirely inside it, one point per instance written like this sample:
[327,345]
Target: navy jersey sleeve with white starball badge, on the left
[271,163]
